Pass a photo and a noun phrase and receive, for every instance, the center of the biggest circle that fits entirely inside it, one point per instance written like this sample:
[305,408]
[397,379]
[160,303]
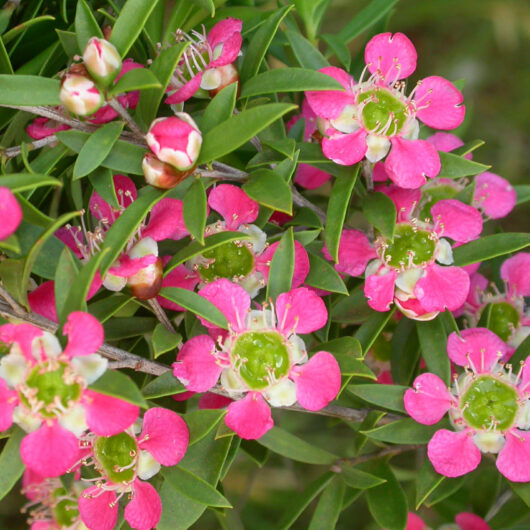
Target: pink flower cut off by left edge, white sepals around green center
[45,391]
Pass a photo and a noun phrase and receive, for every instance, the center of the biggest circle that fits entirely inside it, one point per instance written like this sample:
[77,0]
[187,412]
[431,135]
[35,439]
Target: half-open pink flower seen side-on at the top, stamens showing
[207,61]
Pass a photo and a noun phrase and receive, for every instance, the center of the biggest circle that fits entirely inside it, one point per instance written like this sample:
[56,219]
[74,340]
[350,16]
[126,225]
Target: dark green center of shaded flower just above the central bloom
[227,261]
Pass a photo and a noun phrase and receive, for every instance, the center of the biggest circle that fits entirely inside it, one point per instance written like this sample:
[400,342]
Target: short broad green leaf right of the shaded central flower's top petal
[266,187]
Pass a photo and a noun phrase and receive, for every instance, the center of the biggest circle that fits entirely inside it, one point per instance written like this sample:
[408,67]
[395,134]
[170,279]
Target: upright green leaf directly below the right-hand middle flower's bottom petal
[433,343]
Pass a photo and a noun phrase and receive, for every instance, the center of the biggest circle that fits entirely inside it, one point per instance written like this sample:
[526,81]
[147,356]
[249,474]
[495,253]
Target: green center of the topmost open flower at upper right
[384,113]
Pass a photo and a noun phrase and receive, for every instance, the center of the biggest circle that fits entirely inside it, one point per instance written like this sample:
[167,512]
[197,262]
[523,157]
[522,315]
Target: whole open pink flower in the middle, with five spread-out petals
[261,358]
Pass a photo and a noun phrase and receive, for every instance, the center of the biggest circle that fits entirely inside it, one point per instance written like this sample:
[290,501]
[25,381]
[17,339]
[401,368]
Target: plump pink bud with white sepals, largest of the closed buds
[175,140]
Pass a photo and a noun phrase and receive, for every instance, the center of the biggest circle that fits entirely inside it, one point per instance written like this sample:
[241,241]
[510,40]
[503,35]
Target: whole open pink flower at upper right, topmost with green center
[373,118]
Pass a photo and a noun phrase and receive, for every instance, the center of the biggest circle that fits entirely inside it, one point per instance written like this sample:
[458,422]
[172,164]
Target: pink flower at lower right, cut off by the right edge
[488,405]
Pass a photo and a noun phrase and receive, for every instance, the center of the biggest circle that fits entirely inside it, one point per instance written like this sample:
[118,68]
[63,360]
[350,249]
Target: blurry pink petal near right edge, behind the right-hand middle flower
[494,195]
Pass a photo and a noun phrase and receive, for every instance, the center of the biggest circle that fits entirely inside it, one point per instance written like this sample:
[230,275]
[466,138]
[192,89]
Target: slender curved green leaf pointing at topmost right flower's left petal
[288,80]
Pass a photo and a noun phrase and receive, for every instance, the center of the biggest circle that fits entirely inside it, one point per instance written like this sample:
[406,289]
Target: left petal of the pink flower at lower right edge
[428,400]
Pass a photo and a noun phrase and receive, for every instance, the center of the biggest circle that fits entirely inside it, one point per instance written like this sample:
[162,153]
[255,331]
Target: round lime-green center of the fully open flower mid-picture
[258,354]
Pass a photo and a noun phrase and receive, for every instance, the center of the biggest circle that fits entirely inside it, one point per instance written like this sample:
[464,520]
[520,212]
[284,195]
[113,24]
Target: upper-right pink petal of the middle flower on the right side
[456,220]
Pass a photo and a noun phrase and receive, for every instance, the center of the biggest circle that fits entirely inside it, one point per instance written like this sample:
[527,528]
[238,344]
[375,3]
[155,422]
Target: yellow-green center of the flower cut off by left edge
[50,386]
